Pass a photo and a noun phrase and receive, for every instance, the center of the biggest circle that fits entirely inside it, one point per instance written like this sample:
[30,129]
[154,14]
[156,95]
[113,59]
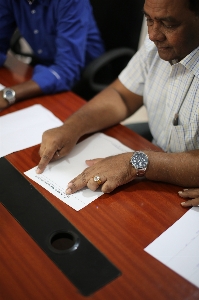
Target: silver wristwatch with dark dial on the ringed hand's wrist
[139,161]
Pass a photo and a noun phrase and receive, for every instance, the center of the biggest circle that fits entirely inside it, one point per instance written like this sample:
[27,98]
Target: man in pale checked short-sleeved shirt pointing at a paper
[164,76]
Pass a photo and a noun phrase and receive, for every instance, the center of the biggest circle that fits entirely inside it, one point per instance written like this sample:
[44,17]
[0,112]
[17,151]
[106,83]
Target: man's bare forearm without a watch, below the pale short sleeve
[106,109]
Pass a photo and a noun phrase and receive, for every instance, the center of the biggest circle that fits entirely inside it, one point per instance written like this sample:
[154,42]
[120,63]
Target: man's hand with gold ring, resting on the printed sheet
[109,173]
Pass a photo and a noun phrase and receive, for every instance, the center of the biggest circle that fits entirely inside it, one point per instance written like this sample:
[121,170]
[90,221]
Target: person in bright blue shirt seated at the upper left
[63,36]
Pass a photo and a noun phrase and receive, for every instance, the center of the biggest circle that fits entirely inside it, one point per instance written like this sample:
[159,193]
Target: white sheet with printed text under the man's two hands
[58,174]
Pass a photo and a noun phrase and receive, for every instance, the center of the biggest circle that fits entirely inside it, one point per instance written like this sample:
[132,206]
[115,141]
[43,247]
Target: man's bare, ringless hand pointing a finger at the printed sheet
[56,143]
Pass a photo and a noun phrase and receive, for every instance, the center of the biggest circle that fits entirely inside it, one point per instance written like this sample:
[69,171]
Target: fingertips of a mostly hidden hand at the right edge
[191,196]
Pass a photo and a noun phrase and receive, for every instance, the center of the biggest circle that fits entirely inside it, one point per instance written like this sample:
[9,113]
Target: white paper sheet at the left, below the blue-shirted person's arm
[24,128]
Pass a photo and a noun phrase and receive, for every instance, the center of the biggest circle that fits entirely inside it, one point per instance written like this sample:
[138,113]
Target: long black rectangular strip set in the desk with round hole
[84,265]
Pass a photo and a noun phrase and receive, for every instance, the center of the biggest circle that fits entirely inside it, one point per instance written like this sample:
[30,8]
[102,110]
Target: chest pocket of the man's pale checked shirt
[184,138]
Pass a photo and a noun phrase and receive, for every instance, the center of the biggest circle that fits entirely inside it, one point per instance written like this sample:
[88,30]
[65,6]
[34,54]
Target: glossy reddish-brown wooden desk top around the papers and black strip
[120,225]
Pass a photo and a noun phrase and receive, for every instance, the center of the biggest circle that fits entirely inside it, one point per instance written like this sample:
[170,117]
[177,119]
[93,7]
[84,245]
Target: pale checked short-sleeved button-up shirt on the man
[167,90]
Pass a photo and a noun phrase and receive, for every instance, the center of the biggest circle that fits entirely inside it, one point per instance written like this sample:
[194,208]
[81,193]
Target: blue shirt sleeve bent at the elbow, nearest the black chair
[72,40]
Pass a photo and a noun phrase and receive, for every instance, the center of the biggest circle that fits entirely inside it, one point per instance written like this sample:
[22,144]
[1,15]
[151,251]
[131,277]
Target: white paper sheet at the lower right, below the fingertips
[178,247]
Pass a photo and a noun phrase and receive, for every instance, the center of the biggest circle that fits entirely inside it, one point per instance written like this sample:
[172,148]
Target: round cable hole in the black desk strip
[63,241]
